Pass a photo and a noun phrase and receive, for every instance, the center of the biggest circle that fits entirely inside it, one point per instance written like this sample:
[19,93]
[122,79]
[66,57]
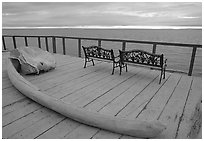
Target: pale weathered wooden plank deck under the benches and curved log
[135,94]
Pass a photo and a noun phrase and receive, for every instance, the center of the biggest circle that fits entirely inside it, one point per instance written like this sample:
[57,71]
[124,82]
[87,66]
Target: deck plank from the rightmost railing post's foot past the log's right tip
[173,110]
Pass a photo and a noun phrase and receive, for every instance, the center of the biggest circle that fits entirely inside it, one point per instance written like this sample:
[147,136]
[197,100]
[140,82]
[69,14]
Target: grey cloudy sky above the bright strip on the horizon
[101,14]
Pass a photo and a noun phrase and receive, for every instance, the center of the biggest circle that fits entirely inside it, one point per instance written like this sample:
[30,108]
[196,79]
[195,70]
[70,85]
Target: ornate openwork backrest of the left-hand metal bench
[98,52]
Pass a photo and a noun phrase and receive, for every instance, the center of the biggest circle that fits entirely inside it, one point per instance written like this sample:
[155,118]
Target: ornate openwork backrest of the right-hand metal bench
[141,57]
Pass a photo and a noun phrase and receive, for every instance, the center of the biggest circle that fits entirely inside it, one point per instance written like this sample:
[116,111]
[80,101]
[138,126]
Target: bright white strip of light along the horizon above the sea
[109,27]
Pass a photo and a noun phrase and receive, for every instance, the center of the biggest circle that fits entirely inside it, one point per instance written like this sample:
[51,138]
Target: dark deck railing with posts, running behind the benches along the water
[99,40]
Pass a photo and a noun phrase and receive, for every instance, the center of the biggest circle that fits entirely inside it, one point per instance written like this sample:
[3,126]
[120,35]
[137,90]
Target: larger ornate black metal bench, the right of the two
[141,57]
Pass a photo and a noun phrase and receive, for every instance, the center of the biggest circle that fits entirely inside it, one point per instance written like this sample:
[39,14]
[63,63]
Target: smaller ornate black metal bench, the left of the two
[99,53]
